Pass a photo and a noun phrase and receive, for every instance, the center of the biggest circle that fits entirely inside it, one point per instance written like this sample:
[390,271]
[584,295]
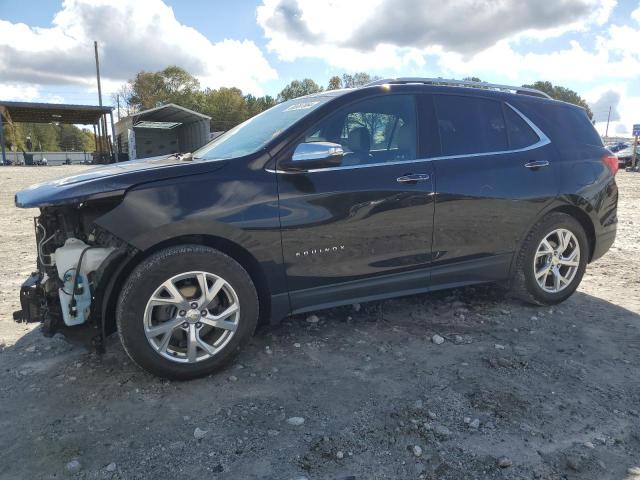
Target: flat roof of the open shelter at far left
[52,112]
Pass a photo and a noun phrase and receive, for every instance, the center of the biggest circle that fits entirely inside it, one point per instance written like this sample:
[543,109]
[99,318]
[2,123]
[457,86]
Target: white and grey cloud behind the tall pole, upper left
[133,36]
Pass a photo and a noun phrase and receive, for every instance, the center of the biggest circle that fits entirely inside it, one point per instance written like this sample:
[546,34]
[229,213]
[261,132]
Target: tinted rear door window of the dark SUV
[470,125]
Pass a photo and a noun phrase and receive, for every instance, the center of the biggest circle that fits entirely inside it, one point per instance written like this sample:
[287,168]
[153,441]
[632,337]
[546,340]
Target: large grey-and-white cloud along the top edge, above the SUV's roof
[323,28]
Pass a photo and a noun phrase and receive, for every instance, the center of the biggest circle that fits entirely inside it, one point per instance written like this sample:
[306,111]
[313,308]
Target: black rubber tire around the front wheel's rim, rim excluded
[155,270]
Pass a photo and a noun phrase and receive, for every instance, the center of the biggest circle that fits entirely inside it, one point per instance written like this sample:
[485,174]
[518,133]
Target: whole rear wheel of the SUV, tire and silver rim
[551,261]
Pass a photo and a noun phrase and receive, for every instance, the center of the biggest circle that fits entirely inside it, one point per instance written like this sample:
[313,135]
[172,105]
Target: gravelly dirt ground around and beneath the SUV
[514,392]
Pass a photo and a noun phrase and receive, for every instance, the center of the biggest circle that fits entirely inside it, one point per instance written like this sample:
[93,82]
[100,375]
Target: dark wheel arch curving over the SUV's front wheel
[232,249]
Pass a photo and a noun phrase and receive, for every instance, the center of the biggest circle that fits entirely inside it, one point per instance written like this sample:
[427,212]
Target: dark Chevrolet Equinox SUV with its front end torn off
[399,187]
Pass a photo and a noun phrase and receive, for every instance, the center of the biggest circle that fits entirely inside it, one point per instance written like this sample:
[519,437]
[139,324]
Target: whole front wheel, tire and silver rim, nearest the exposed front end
[145,304]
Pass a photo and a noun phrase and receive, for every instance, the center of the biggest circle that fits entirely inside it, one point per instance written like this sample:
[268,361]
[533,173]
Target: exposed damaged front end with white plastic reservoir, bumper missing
[73,255]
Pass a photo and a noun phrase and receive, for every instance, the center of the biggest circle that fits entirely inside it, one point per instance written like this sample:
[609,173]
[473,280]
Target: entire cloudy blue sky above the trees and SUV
[591,46]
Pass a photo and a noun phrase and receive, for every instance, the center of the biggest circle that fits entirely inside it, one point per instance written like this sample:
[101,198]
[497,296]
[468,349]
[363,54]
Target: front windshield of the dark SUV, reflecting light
[255,133]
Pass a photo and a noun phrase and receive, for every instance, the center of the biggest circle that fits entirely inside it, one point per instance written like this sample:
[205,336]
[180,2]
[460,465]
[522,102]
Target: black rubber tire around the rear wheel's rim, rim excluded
[524,285]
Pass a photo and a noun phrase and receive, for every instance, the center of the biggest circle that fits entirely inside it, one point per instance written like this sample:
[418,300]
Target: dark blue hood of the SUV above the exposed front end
[110,180]
